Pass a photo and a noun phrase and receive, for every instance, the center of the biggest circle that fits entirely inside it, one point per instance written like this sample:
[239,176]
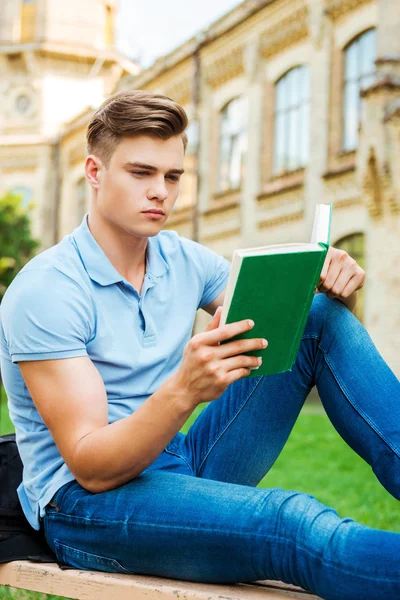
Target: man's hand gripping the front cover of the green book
[208,368]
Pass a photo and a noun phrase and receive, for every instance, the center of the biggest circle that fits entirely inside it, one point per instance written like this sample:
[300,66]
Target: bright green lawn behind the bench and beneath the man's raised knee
[317,461]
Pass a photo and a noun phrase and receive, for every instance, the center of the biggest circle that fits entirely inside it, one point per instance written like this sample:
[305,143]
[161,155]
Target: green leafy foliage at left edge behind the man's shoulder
[16,244]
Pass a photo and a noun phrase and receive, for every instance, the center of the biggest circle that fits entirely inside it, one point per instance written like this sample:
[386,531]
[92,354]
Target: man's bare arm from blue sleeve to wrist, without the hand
[71,399]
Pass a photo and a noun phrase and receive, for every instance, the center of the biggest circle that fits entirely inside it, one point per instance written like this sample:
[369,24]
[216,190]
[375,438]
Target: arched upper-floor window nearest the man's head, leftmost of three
[233,144]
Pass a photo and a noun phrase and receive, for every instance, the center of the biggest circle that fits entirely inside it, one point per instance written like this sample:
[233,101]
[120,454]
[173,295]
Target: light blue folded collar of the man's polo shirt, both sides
[99,266]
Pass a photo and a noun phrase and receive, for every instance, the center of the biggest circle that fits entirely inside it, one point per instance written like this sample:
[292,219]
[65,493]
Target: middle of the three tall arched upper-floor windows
[292,120]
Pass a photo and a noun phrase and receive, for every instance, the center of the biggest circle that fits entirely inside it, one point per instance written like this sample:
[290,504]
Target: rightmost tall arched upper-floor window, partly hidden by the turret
[359,68]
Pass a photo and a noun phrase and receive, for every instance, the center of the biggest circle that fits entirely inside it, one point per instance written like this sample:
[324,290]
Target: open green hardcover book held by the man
[274,286]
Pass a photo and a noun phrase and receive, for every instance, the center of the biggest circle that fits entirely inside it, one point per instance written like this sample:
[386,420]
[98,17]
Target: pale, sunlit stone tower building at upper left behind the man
[55,60]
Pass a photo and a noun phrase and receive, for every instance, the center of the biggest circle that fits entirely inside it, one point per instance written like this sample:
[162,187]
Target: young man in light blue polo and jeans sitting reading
[101,374]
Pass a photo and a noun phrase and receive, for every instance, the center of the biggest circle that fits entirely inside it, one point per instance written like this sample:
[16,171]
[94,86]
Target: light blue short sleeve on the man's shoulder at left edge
[46,315]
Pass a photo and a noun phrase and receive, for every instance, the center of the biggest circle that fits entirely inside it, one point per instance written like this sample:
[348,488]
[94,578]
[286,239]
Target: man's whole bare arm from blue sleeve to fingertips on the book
[71,399]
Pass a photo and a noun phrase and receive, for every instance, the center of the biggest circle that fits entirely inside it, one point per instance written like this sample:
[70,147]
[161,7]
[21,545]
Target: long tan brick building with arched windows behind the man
[291,103]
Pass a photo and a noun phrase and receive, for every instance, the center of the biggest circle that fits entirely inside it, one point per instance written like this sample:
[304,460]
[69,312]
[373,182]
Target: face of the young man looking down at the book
[139,187]
